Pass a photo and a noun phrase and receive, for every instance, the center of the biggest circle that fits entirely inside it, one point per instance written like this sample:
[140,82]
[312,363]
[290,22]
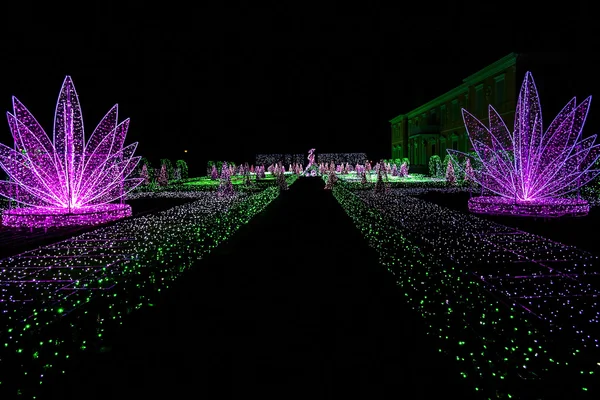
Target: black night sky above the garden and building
[228,82]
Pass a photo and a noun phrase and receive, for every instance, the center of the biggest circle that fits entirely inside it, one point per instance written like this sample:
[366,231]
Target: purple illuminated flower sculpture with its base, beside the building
[531,172]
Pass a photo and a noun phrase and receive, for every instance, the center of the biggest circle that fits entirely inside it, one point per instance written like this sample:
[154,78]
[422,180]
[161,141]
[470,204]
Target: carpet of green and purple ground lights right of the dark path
[518,296]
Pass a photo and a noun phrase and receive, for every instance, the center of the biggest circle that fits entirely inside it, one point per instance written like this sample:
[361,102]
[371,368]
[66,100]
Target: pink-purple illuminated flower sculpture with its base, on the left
[66,180]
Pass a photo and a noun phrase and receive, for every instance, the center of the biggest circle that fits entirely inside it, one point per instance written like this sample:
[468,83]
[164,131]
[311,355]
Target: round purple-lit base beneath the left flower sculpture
[46,217]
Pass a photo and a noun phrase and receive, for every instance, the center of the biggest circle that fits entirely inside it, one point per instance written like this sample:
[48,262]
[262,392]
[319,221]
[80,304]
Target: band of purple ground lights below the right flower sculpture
[551,281]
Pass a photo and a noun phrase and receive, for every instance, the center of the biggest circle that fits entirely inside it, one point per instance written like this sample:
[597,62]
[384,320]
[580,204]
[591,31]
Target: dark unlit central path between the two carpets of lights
[295,305]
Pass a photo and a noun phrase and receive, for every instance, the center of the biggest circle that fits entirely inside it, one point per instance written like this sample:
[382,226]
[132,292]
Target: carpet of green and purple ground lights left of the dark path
[61,288]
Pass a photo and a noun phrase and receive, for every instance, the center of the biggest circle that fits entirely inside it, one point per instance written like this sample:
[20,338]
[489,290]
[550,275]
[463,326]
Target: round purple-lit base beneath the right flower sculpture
[546,208]
